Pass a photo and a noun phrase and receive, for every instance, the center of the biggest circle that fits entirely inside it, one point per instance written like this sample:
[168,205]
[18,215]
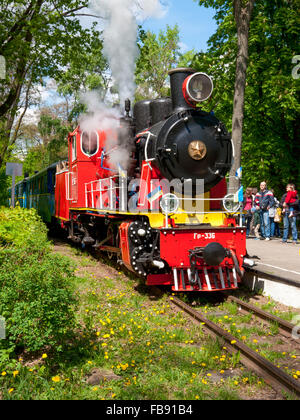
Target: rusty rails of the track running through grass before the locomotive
[273,376]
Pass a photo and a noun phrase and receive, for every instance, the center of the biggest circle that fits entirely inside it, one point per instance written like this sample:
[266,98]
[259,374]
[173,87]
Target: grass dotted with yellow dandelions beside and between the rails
[155,353]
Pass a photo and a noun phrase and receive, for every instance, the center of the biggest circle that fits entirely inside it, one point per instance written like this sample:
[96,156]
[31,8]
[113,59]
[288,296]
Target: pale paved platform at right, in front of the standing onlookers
[276,257]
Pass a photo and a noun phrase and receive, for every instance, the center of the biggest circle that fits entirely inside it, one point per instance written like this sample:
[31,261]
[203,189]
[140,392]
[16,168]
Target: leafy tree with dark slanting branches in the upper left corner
[37,39]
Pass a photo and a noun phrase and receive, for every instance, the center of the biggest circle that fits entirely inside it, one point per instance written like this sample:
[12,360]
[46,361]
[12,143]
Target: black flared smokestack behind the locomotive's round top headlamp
[177,78]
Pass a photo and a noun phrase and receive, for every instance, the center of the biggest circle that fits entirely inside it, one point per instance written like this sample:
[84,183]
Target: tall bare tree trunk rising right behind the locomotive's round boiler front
[242,13]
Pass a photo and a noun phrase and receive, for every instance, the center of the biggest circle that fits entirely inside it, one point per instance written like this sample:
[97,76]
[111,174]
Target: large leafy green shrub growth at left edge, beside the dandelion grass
[36,292]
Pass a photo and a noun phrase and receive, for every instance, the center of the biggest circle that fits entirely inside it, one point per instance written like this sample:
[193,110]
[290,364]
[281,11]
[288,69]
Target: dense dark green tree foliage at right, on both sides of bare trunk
[270,148]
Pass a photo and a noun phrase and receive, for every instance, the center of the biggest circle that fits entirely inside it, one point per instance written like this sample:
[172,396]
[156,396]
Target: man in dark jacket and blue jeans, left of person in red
[264,200]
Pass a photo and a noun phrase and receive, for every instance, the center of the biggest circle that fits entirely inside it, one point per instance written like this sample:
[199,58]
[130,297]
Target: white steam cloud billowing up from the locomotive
[120,48]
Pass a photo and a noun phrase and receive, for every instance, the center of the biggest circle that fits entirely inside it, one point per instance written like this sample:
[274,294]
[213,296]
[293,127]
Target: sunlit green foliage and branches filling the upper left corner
[42,39]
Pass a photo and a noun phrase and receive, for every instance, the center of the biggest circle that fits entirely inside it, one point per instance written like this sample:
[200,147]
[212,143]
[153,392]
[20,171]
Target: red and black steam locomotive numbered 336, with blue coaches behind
[166,215]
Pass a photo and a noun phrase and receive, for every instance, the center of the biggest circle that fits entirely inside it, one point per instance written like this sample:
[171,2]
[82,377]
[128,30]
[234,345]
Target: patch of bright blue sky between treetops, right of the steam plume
[196,23]
